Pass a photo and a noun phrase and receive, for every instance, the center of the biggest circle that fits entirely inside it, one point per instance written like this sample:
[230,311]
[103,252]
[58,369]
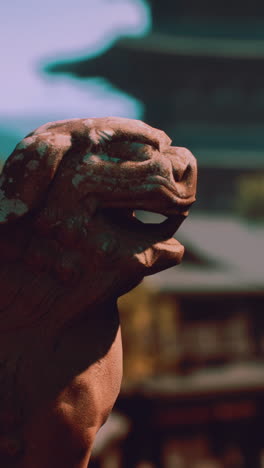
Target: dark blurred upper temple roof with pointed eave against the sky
[199,76]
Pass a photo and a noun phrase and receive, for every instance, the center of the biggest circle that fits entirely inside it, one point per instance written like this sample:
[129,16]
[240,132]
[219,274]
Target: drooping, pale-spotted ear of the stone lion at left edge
[28,172]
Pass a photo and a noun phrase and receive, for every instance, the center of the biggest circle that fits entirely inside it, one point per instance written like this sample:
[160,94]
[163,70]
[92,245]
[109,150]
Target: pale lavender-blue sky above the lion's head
[34,33]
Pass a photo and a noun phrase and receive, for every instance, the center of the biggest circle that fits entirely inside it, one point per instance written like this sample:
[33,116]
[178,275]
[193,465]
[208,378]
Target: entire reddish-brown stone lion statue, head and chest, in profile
[70,245]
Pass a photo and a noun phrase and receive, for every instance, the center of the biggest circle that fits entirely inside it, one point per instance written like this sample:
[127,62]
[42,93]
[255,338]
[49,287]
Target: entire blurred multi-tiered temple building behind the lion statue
[194,335]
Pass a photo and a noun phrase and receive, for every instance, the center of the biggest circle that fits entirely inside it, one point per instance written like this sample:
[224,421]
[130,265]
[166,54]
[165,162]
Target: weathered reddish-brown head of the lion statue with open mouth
[68,234]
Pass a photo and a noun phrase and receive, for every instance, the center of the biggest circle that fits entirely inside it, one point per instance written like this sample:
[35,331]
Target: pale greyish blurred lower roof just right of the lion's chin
[231,254]
